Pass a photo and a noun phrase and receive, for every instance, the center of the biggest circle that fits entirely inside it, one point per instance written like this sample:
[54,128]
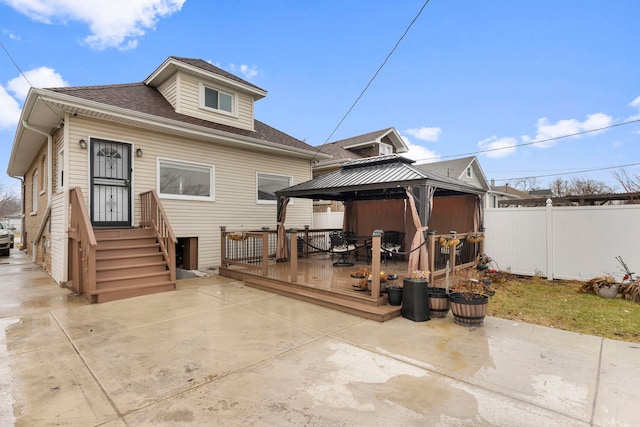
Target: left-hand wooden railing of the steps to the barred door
[82,242]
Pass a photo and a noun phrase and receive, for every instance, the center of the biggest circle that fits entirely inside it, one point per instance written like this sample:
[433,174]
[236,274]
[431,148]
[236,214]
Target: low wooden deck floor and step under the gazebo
[320,282]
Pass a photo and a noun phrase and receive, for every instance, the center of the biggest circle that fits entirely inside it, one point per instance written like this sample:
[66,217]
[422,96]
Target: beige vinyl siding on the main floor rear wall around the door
[235,171]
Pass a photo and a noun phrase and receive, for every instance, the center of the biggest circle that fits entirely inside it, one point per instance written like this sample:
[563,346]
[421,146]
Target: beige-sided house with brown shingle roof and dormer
[187,131]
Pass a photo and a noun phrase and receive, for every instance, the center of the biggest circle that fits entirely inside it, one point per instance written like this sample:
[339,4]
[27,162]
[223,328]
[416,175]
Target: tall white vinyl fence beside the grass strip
[575,243]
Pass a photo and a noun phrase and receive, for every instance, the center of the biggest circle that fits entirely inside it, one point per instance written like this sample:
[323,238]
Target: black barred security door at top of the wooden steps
[110,183]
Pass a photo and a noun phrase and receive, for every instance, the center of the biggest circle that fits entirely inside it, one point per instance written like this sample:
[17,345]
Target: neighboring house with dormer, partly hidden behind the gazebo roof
[379,143]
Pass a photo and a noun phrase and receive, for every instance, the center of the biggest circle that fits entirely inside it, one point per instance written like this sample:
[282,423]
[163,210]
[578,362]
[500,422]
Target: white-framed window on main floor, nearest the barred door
[185,180]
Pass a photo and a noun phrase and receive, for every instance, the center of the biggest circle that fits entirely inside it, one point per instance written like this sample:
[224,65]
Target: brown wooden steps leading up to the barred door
[129,262]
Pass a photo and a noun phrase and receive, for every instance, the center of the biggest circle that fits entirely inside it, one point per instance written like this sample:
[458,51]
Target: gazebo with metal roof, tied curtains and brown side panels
[387,192]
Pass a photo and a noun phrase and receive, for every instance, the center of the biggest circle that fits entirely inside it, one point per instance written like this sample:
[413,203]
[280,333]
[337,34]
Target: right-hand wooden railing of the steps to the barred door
[154,217]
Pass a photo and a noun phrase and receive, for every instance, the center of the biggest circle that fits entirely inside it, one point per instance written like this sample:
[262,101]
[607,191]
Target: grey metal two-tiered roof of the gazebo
[382,177]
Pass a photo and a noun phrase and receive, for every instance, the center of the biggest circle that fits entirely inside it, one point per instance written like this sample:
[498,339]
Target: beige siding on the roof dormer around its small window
[189,103]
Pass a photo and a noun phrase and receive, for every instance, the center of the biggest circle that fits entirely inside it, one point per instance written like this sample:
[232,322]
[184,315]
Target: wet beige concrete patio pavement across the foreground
[215,352]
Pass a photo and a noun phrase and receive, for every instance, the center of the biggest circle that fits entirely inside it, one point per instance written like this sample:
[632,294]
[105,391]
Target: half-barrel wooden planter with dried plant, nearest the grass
[468,299]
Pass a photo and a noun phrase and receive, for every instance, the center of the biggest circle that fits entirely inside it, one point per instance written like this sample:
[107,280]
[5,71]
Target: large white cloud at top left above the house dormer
[113,23]
